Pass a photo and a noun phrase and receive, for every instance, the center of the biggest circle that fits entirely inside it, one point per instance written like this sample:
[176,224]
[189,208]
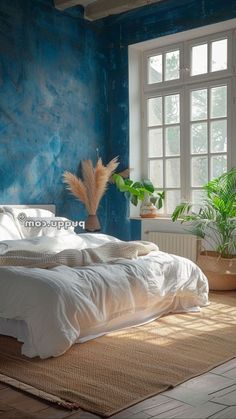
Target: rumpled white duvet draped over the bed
[63,305]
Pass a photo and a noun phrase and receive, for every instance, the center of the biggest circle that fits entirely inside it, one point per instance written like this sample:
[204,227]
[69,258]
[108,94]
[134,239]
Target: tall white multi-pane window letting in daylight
[187,94]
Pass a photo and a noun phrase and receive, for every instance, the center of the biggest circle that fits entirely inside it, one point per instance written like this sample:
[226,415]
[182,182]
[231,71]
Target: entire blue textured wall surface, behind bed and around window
[64,92]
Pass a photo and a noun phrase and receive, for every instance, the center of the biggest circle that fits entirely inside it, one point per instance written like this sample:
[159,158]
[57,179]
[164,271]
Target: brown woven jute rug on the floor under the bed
[110,373]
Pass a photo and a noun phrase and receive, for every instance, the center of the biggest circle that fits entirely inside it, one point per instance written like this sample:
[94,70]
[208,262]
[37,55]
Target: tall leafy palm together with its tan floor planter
[215,222]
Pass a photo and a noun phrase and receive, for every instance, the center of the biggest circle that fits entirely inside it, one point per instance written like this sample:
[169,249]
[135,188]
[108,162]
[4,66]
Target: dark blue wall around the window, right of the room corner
[143,24]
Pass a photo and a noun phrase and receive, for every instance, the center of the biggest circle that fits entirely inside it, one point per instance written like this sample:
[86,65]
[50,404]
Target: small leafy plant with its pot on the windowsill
[143,191]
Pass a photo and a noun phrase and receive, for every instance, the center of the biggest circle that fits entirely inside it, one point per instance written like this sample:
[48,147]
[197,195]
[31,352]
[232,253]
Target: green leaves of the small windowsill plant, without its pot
[139,191]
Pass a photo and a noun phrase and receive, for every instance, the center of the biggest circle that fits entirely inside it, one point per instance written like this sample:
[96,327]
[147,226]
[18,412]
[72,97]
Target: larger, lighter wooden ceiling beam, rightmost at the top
[103,8]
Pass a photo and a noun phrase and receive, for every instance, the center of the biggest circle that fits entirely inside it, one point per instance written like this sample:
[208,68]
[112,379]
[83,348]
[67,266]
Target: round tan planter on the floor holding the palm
[220,272]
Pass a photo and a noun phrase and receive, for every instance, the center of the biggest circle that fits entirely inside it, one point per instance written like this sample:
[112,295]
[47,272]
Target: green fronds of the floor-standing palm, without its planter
[216,220]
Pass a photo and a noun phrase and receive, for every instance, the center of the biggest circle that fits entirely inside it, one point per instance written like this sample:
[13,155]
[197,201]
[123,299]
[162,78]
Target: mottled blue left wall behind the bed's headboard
[53,102]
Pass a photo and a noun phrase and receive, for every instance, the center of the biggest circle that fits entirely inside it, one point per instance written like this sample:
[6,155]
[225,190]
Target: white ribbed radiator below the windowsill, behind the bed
[184,245]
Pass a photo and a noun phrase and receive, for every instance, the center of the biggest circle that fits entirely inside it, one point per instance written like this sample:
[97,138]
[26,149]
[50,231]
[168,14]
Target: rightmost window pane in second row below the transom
[218,136]
